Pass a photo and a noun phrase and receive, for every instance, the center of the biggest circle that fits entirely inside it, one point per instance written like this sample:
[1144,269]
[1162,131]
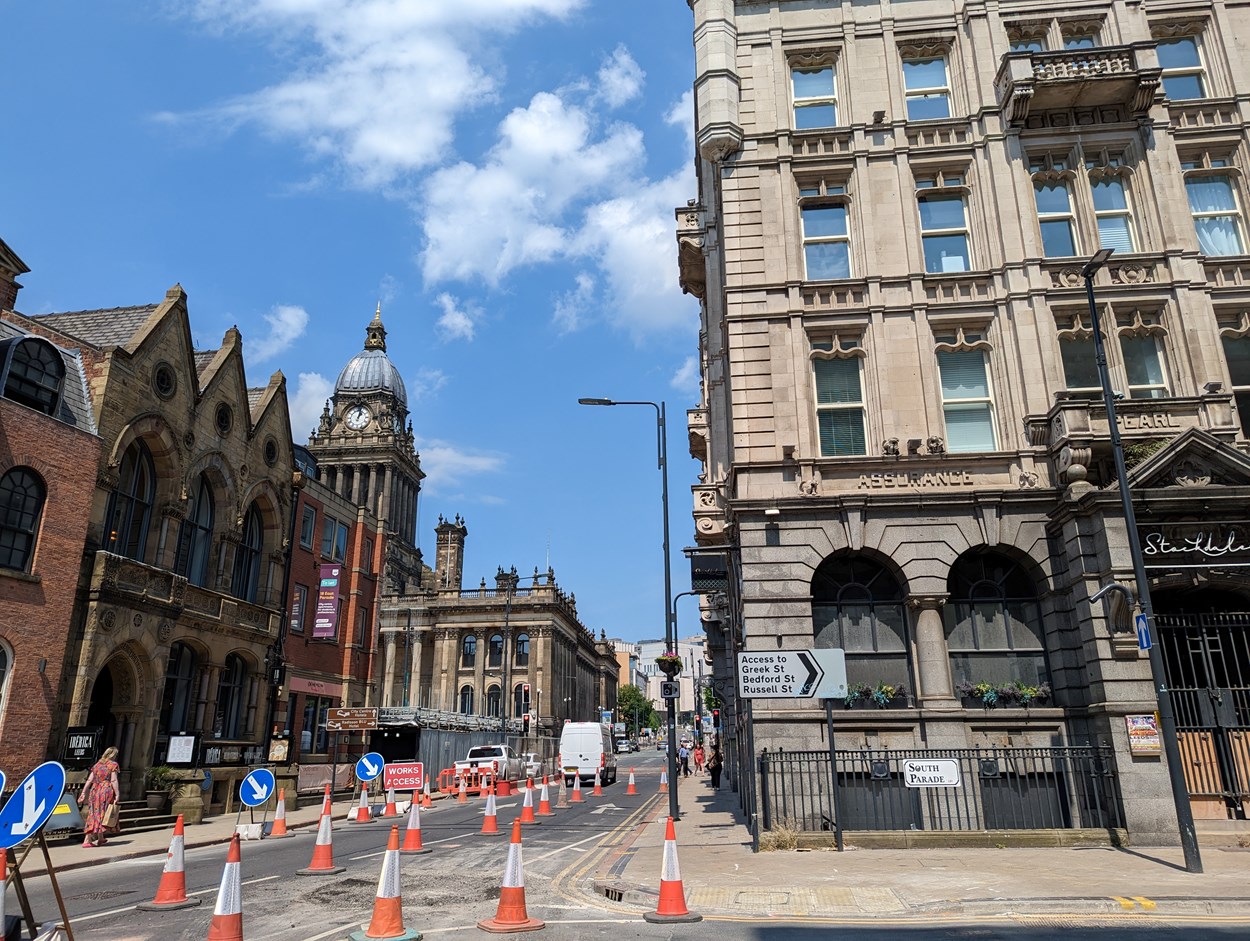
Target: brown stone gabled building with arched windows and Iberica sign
[182,577]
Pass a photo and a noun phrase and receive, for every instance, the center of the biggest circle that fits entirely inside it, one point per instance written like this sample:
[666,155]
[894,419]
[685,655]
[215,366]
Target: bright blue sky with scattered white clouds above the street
[501,174]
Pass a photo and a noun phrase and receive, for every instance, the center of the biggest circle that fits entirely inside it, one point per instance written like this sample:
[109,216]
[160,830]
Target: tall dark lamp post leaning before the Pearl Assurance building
[1167,718]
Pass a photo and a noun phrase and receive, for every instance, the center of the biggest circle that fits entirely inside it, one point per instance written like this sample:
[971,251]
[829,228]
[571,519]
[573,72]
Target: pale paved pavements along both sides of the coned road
[724,878]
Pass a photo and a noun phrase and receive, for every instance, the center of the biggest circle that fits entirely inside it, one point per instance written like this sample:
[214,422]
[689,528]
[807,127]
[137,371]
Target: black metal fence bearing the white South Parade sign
[998,789]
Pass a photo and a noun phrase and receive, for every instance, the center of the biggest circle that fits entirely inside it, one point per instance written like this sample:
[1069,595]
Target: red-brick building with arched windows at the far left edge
[48,456]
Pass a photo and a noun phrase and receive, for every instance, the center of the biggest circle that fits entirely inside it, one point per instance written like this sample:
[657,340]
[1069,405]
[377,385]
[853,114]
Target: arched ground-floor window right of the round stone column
[994,623]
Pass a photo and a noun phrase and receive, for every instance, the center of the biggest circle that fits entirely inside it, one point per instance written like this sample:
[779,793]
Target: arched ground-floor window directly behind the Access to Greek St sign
[857,605]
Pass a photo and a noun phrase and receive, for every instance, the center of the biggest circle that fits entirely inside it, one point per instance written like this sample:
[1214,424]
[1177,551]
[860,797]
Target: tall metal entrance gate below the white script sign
[1207,664]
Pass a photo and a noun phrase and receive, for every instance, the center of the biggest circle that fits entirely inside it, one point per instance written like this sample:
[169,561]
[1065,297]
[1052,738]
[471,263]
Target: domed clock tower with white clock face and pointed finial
[366,454]
